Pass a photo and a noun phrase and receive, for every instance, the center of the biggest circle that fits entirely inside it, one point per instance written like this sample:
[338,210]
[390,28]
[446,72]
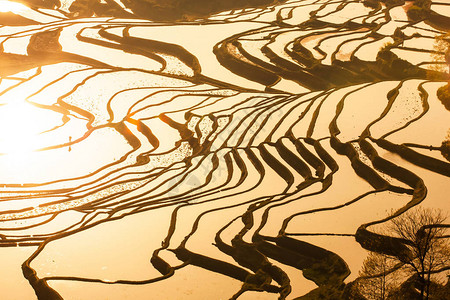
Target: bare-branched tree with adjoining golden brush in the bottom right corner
[415,274]
